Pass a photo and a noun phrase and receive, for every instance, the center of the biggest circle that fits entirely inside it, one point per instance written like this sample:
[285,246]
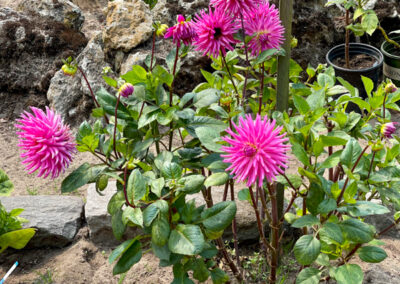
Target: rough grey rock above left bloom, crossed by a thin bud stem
[70,96]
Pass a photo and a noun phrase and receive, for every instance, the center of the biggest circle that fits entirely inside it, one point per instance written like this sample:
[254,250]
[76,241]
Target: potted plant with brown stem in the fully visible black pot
[353,60]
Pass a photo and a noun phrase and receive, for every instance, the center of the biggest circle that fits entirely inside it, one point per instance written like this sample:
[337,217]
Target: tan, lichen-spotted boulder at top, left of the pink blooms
[128,24]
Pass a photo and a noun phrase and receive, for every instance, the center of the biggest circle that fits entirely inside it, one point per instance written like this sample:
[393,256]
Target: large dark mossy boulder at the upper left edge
[31,52]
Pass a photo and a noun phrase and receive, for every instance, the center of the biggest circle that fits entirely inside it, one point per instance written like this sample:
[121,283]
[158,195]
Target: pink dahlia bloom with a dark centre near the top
[215,31]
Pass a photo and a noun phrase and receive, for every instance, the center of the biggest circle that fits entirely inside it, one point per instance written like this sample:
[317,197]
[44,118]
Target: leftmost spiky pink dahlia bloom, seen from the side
[47,144]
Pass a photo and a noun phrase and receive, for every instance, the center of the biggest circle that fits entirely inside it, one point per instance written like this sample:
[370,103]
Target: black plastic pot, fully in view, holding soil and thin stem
[354,76]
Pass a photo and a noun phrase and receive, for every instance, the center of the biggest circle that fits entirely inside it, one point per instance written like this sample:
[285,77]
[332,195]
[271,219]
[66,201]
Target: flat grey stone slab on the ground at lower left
[57,218]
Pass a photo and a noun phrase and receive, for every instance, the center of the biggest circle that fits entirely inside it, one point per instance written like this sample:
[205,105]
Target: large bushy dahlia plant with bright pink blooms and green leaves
[163,150]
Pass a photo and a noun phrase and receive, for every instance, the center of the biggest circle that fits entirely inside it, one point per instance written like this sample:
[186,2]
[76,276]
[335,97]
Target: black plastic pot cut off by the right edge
[391,61]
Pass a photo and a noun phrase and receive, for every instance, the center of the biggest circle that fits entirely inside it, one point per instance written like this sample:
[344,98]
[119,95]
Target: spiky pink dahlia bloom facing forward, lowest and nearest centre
[257,151]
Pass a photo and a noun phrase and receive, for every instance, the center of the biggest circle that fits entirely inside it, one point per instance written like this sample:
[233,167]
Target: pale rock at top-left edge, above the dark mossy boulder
[62,11]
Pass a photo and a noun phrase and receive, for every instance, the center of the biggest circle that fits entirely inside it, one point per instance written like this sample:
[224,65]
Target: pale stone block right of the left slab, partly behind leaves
[98,219]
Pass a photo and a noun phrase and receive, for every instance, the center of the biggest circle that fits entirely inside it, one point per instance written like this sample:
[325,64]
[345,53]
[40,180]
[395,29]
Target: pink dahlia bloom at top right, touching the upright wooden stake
[265,28]
